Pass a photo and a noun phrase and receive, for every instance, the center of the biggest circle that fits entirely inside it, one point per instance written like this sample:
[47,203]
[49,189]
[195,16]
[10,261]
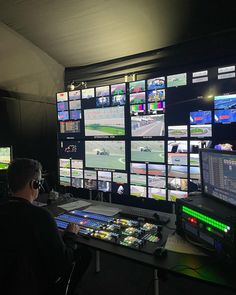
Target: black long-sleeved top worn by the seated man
[33,254]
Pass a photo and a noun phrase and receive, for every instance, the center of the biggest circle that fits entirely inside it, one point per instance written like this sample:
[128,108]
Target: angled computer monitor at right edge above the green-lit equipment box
[218,174]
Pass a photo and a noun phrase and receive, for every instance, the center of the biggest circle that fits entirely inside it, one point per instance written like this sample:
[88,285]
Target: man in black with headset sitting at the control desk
[33,255]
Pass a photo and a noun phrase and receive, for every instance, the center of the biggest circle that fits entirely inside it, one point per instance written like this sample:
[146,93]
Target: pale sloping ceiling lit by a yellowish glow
[82,32]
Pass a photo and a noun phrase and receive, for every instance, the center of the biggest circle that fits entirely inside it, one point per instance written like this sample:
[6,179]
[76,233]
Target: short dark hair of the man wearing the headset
[21,171]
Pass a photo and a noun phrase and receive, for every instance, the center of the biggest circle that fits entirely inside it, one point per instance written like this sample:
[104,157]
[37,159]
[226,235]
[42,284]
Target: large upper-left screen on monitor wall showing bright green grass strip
[104,121]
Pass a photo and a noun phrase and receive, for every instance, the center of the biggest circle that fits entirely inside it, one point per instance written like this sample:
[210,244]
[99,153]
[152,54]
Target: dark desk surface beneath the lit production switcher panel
[201,268]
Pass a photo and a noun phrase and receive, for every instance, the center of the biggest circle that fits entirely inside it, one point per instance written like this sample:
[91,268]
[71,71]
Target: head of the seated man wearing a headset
[24,177]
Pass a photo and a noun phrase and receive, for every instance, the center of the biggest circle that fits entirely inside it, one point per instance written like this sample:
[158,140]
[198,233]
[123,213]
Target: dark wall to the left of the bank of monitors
[28,124]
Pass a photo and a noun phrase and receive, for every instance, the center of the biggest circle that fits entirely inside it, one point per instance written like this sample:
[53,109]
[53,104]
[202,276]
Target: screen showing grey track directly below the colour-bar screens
[150,125]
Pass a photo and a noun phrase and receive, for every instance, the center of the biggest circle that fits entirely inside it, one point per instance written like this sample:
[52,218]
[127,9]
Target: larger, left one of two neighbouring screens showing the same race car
[105,154]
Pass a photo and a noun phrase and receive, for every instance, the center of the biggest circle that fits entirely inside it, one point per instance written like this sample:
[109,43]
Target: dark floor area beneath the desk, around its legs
[121,276]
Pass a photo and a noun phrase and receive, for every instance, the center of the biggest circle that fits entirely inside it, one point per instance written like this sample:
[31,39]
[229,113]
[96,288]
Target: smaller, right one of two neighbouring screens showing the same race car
[148,151]
